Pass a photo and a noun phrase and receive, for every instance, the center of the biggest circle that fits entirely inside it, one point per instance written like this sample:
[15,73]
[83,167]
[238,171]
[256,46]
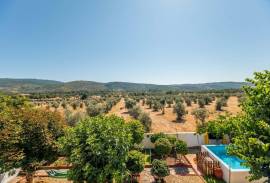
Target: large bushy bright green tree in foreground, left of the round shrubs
[98,149]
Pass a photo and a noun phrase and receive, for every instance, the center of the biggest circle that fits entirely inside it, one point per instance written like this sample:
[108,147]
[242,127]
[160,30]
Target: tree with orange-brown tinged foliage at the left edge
[27,135]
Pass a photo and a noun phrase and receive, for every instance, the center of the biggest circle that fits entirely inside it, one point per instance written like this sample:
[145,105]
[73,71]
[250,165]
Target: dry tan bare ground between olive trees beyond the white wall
[167,122]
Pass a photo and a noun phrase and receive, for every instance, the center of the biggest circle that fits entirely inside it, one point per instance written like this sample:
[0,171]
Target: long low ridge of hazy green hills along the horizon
[39,86]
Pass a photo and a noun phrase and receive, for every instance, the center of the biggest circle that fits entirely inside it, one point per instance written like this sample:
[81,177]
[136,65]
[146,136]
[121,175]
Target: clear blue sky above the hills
[145,41]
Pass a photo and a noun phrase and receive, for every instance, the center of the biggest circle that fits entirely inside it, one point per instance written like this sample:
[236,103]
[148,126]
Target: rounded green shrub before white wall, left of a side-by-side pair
[163,147]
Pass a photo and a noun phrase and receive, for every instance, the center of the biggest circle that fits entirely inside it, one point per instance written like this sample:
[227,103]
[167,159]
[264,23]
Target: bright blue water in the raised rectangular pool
[221,152]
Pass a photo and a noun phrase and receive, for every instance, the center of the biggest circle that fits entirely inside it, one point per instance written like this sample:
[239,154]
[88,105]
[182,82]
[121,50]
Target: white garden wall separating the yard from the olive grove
[191,138]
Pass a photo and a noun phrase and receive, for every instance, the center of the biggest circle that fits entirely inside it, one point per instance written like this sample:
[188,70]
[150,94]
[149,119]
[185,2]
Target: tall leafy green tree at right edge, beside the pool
[252,143]
